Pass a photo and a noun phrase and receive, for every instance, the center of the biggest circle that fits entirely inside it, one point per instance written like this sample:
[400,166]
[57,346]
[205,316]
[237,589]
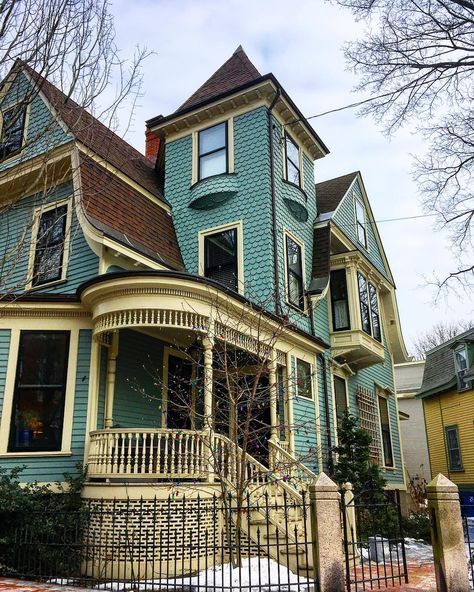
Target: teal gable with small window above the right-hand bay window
[345,218]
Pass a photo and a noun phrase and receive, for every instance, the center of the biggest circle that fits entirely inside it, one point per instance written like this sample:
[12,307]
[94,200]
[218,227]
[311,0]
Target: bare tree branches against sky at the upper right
[416,61]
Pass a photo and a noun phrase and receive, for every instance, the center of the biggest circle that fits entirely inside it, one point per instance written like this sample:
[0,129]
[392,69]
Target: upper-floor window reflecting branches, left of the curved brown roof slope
[48,263]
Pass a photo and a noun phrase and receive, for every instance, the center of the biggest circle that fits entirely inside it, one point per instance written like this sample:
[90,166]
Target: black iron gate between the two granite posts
[374,545]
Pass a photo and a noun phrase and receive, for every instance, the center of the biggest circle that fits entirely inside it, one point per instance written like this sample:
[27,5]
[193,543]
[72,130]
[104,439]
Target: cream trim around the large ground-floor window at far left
[50,325]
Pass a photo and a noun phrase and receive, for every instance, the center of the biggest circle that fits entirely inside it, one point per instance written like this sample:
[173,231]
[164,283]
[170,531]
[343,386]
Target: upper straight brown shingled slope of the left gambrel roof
[98,137]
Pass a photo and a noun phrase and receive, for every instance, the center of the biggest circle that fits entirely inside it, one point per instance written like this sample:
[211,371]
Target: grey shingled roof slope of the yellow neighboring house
[440,372]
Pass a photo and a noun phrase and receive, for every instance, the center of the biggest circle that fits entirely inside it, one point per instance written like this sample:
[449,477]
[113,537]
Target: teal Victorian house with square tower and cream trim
[161,311]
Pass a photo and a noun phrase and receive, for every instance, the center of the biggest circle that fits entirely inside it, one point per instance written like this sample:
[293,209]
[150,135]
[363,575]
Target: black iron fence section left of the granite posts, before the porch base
[180,543]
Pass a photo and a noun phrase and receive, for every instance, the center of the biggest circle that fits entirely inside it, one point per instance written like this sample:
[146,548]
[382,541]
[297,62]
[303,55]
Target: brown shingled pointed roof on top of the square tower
[236,71]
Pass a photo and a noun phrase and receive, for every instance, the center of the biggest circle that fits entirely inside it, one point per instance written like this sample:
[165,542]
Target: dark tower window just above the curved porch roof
[220,257]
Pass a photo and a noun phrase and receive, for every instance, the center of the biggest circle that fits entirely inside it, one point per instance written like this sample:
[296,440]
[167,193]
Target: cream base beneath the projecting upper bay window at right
[357,348]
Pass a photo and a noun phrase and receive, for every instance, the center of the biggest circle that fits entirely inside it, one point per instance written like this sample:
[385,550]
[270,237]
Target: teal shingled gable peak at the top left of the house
[42,131]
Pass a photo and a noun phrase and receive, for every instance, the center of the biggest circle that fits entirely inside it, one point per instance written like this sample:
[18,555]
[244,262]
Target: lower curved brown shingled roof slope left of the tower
[126,215]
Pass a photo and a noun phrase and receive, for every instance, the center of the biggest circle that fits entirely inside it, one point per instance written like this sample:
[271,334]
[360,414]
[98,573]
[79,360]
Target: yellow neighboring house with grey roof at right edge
[447,392]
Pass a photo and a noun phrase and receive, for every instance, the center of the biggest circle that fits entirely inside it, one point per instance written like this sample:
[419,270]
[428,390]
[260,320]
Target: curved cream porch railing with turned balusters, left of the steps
[147,454]
